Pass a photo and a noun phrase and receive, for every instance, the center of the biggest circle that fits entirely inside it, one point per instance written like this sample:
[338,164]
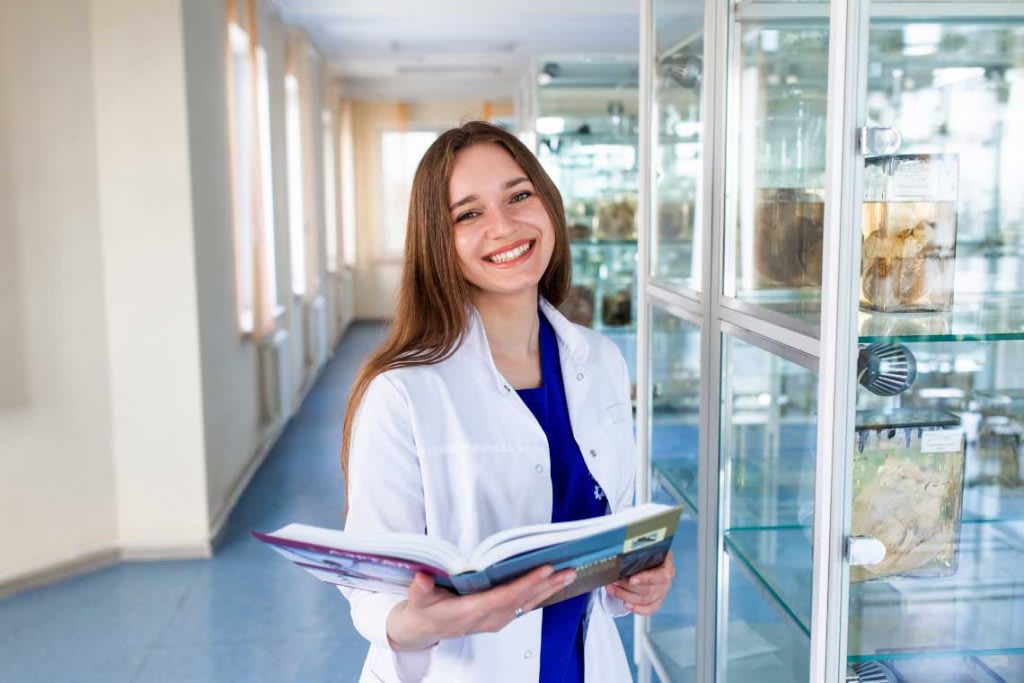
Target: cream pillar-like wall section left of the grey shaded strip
[150,269]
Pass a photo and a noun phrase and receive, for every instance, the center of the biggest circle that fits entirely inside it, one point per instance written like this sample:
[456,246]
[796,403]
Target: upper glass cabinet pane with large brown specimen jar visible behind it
[777,210]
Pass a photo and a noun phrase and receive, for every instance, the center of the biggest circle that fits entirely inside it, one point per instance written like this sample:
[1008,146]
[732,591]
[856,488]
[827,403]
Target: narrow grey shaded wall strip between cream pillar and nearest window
[230,373]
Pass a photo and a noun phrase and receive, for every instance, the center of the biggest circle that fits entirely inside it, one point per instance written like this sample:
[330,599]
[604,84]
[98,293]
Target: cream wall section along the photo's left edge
[57,488]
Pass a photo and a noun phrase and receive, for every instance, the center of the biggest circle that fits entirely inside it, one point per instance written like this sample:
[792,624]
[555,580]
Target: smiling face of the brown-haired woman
[503,235]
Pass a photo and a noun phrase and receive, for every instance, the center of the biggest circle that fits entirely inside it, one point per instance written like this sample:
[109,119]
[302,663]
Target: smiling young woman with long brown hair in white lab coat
[486,410]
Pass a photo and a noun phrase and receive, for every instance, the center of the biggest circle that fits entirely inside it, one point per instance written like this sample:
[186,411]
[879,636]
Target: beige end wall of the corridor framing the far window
[377,277]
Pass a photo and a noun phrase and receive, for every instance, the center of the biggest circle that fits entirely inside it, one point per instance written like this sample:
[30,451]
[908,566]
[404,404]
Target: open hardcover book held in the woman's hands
[602,550]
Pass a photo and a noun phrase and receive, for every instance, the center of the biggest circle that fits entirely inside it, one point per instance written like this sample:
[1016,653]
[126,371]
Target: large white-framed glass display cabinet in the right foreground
[831,338]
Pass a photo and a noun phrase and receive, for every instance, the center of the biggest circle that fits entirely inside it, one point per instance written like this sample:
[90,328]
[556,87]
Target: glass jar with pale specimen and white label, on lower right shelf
[909,491]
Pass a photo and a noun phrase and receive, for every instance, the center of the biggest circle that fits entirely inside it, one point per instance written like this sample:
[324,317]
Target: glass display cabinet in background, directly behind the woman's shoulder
[586,132]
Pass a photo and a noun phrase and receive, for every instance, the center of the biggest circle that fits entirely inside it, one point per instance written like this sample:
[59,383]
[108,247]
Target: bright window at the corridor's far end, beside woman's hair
[401,153]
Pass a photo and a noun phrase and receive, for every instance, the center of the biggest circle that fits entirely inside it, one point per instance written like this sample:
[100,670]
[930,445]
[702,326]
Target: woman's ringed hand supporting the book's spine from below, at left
[431,614]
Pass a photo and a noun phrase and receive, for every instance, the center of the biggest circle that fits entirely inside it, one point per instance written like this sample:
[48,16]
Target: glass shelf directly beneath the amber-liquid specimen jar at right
[974,319]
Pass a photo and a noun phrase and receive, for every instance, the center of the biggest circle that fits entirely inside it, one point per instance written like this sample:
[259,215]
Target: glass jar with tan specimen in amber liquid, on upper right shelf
[909,233]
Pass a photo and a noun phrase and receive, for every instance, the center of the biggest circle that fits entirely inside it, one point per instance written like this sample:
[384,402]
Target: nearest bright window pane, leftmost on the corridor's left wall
[242,154]
